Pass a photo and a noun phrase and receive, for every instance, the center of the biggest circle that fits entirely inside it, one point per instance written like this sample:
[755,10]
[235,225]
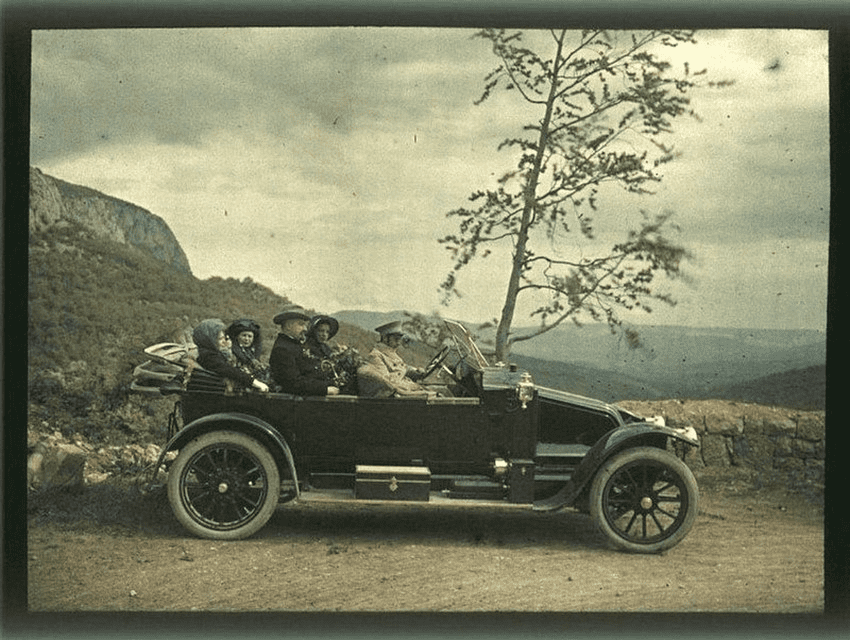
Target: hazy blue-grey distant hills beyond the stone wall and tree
[672,361]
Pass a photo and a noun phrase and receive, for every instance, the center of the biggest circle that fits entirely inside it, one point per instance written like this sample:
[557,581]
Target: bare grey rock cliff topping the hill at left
[55,204]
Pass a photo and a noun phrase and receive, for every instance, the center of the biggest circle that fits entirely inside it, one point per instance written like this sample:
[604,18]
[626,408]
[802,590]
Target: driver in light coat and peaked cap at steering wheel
[385,373]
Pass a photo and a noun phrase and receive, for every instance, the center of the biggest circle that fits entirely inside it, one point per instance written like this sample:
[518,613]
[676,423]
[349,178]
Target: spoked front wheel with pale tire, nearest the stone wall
[645,500]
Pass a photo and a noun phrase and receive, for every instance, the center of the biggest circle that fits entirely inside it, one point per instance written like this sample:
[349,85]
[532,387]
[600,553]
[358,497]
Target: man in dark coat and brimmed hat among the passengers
[291,366]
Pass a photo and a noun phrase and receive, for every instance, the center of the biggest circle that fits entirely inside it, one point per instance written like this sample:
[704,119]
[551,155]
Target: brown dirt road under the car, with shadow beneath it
[760,551]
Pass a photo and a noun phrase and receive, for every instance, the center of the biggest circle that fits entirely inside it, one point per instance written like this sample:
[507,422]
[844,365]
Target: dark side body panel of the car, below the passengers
[334,434]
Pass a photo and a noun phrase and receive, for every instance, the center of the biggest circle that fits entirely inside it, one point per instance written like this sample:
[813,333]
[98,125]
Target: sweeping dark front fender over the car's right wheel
[616,440]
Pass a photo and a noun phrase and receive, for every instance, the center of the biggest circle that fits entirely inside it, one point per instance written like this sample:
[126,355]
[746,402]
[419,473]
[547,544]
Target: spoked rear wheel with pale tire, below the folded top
[223,485]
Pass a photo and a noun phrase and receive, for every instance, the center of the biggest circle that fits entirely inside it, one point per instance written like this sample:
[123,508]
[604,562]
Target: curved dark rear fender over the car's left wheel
[243,423]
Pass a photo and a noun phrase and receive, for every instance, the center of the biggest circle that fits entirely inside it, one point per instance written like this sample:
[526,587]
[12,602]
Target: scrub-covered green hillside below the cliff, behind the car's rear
[95,304]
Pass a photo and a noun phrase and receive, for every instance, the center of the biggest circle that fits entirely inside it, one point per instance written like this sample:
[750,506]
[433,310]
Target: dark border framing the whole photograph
[20,18]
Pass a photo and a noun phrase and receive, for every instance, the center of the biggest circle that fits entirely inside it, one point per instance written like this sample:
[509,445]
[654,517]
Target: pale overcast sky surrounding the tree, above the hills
[321,161]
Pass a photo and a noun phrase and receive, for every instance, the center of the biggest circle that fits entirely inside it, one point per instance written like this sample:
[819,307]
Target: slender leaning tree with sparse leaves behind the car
[605,101]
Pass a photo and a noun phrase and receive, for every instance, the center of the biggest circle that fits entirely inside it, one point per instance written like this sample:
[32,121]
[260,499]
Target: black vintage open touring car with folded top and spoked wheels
[500,441]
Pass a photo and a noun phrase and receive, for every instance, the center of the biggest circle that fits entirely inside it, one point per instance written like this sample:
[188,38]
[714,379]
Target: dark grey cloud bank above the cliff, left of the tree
[175,86]
